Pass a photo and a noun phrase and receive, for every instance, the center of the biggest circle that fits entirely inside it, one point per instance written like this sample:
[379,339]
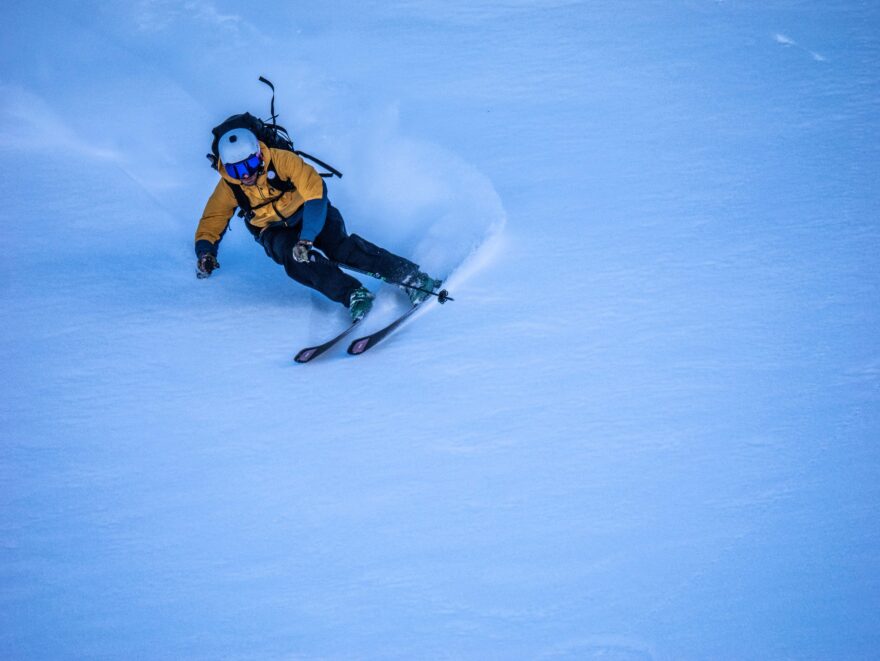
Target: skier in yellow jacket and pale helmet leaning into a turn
[289,213]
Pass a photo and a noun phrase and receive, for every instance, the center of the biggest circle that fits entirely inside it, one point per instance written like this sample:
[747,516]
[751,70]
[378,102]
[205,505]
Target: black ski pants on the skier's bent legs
[321,274]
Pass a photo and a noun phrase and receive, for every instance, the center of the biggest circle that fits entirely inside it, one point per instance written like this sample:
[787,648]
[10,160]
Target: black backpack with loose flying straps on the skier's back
[272,135]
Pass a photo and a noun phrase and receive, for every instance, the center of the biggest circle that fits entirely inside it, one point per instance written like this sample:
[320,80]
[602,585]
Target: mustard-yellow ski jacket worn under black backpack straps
[269,204]
